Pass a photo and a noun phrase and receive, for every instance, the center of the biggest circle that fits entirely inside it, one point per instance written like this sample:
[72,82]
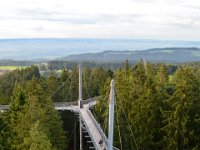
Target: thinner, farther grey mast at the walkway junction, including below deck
[80,103]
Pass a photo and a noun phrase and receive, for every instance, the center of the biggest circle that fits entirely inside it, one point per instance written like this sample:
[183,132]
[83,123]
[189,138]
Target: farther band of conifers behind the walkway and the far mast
[59,88]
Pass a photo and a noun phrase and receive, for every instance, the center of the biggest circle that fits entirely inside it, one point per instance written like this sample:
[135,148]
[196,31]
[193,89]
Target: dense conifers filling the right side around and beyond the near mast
[153,110]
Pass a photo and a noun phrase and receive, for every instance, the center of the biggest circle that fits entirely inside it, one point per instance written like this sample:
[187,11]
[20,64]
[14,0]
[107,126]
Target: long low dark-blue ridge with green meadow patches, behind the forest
[166,55]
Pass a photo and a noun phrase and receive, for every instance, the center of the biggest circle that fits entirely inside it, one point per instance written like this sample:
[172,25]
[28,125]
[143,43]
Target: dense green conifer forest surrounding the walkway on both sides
[157,106]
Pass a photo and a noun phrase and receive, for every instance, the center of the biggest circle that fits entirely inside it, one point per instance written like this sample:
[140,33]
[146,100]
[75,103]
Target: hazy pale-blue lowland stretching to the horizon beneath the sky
[44,49]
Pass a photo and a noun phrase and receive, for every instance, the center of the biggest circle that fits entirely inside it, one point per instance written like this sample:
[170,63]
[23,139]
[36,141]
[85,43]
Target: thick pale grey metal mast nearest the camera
[111,116]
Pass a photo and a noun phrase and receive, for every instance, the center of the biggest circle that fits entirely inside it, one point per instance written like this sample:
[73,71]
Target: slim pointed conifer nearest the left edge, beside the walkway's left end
[19,121]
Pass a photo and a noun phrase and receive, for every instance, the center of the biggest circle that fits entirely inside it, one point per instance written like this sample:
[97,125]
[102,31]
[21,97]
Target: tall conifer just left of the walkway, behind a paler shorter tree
[49,117]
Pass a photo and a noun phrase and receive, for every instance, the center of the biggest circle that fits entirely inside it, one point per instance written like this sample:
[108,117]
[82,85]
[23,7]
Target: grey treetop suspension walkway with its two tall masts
[88,123]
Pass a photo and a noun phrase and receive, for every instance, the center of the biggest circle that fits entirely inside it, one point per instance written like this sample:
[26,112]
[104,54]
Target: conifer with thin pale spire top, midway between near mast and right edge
[145,114]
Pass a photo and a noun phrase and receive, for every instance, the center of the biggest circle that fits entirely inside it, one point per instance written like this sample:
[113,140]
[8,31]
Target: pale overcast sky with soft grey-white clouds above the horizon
[131,19]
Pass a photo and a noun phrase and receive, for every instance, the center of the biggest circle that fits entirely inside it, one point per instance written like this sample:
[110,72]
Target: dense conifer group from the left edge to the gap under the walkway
[31,122]
